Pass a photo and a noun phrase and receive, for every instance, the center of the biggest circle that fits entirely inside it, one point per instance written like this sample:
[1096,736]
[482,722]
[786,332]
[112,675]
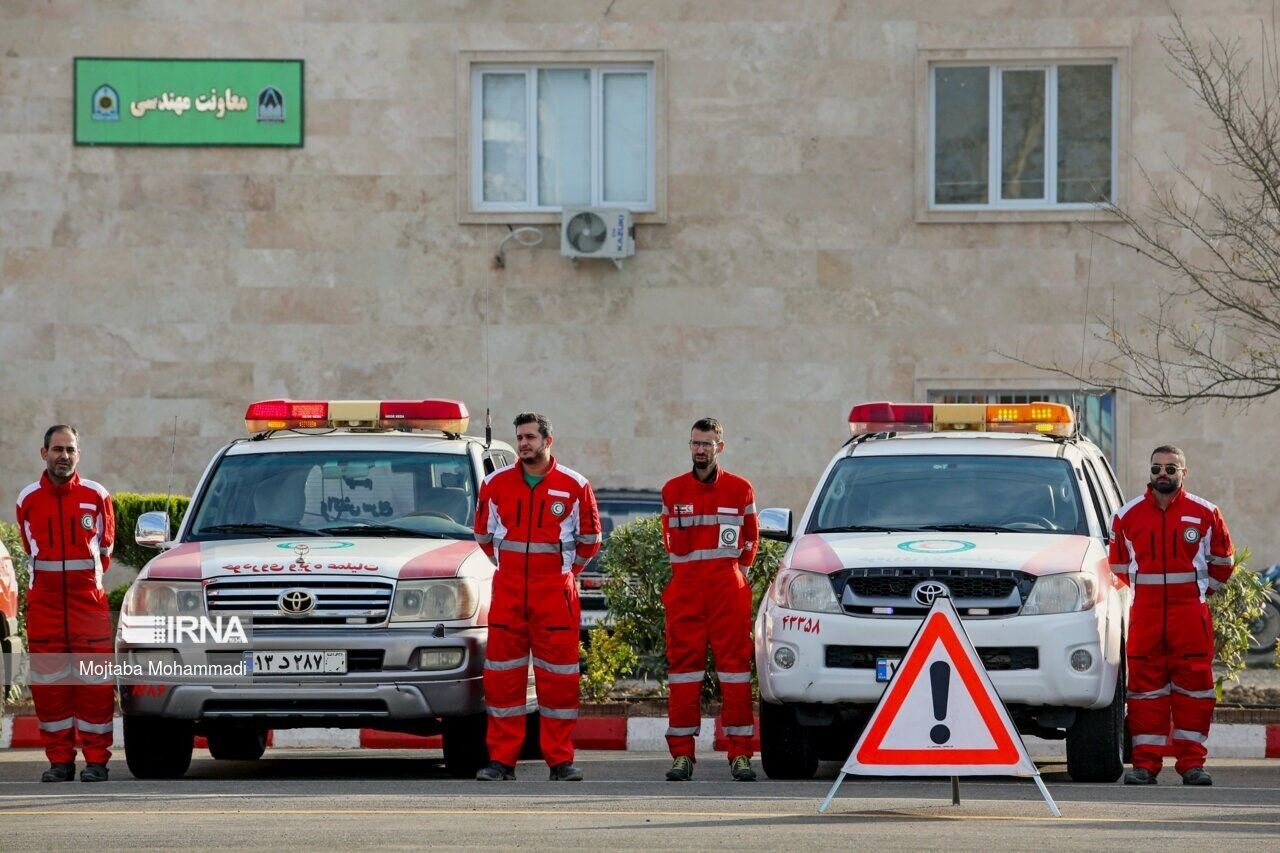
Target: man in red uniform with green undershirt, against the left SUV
[540,522]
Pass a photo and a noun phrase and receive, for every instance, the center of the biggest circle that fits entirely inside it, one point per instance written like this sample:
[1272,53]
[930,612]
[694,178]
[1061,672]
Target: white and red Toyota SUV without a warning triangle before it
[340,535]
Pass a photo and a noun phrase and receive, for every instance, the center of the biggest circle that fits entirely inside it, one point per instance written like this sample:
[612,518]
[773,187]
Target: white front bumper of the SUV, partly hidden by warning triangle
[1053,683]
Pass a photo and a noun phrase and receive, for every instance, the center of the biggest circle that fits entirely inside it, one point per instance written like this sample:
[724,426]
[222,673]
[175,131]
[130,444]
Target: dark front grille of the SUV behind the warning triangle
[889,592]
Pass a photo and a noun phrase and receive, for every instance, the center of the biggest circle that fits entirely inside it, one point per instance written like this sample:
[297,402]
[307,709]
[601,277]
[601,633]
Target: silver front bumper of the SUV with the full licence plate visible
[396,691]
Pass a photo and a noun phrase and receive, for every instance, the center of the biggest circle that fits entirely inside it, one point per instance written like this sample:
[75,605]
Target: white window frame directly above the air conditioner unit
[598,72]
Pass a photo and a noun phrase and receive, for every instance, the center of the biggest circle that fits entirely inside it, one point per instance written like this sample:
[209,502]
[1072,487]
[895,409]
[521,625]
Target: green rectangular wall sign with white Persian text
[189,102]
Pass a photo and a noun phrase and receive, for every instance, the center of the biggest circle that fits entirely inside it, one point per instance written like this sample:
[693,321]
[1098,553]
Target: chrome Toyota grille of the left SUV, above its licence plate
[337,603]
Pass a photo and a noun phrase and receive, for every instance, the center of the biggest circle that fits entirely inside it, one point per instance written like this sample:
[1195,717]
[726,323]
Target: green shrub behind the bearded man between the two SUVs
[636,571]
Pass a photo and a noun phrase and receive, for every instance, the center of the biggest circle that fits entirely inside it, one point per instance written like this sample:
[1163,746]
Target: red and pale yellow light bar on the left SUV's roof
[445,416]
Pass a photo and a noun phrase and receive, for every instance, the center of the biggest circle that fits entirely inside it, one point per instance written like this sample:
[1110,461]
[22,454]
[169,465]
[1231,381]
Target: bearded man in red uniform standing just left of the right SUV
[710,530]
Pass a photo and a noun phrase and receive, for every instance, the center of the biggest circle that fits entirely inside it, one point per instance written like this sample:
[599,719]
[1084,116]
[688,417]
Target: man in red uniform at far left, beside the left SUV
[68,527]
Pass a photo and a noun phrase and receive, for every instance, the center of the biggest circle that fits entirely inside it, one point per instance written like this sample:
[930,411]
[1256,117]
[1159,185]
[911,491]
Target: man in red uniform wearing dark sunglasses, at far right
[1174,550]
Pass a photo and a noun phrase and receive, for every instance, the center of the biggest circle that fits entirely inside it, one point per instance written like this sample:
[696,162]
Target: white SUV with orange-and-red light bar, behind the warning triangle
[1005,509]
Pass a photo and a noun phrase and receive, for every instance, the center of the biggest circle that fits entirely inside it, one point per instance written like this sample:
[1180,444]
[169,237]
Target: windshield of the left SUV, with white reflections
[337,494]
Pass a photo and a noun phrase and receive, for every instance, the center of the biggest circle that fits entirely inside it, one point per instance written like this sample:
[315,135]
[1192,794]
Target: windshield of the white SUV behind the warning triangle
[1016,494]
